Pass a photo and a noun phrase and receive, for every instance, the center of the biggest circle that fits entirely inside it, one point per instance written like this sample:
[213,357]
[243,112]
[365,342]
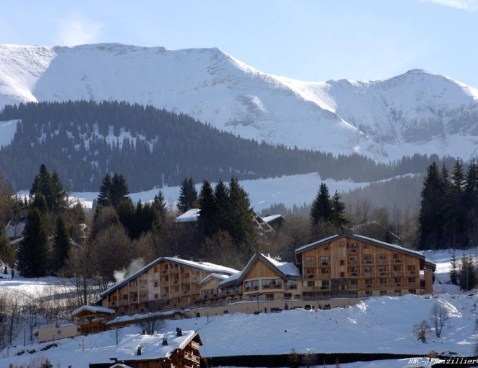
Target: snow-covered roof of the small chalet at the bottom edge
[152,346]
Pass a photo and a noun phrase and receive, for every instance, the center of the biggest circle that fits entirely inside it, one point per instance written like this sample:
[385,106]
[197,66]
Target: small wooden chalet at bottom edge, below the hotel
[178,349]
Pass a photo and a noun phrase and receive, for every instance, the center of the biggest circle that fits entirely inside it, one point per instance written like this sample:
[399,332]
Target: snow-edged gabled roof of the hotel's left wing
[205,266]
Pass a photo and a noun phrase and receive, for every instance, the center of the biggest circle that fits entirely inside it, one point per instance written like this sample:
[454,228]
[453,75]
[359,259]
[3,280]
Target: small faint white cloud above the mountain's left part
[77,30]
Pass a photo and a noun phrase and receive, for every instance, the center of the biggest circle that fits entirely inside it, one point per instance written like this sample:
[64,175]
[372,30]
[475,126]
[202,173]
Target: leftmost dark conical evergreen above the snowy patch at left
[33,251]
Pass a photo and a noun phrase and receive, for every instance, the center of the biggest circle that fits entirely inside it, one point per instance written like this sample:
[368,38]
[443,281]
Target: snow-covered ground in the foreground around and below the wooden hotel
[378,325]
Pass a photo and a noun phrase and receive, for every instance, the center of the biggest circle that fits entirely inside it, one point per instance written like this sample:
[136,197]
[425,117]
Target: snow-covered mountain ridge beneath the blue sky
[417,112]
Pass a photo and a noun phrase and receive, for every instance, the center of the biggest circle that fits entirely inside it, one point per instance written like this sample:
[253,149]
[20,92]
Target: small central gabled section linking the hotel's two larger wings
[264,278]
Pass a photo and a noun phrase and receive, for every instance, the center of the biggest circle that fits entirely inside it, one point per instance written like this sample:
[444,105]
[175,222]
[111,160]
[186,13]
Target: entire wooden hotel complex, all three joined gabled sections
[346,266]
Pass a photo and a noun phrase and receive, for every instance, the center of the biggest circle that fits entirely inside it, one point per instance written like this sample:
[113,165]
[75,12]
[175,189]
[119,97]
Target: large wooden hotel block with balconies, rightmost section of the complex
[357,266]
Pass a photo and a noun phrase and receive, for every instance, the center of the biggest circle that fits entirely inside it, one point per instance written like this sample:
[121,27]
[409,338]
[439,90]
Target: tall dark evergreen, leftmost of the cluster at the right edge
[431,216]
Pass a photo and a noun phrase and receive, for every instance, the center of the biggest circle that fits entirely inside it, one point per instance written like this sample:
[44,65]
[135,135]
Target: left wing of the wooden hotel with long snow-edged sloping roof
[166,283]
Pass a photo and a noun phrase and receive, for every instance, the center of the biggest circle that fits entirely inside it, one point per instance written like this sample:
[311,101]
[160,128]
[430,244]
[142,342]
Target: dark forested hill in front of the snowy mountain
[84,140]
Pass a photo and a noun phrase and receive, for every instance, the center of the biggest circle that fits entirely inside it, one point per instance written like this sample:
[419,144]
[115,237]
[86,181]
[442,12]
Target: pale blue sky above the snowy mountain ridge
[313,40]
